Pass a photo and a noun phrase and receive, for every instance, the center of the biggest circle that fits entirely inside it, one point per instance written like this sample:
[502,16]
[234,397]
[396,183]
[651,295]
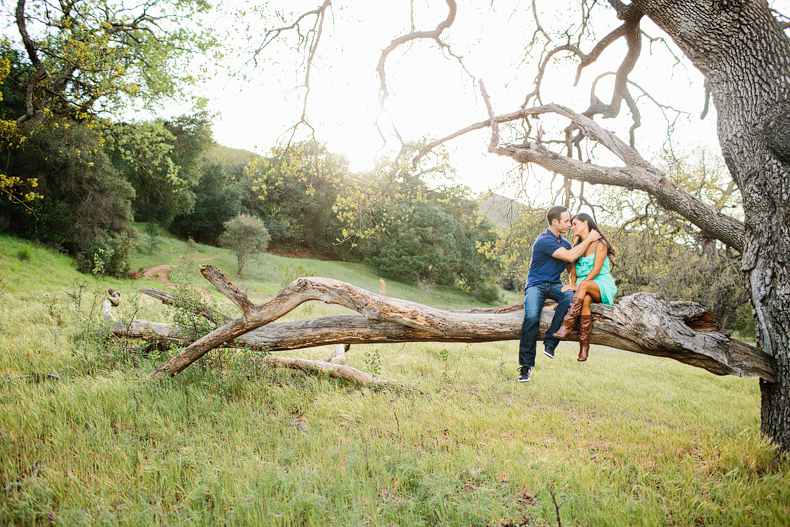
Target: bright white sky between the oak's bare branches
[431,96]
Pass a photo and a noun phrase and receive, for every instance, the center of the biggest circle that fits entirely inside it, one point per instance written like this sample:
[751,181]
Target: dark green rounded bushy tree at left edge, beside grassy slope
[84,205]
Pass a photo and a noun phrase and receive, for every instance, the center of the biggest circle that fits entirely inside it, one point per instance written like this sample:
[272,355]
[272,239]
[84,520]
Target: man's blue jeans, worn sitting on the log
[534,297]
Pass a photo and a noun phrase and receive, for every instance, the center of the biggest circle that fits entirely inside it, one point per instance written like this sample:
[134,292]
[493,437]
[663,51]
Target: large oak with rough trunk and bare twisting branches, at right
[741,49]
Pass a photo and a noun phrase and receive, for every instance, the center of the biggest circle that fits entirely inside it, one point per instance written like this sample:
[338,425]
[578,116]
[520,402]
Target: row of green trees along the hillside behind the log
[81,182]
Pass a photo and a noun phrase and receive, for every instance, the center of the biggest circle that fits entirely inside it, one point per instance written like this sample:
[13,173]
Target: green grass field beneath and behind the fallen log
[87,439]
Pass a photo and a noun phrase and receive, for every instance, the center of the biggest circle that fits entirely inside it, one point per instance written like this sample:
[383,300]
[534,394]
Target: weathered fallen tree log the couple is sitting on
[641,323]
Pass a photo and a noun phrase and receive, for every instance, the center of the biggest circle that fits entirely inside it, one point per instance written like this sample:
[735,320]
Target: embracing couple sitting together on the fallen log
[588,261]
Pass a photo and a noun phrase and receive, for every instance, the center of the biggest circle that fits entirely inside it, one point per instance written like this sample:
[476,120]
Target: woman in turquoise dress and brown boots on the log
[596,285]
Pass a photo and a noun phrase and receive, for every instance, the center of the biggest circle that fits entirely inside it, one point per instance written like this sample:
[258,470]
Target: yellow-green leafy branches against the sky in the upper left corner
[86,54]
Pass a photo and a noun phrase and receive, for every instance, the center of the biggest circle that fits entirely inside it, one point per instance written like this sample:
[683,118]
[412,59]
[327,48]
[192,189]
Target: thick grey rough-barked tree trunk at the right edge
[745,57]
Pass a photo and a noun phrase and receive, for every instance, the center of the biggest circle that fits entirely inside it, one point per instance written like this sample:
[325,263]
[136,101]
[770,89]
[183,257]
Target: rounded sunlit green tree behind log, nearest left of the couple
[416,233]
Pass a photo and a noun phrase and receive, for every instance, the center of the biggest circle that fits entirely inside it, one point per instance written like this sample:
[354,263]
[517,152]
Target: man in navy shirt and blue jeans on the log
[551,255]
